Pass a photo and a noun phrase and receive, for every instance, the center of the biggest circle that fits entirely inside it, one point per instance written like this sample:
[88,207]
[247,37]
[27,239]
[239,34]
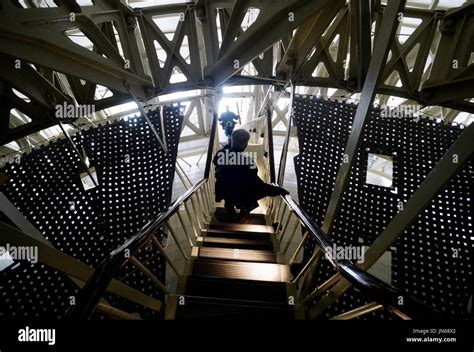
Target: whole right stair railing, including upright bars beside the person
[288,216]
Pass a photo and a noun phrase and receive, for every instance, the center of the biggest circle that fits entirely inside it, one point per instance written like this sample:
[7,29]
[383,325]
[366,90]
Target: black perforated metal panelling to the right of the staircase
[424,263]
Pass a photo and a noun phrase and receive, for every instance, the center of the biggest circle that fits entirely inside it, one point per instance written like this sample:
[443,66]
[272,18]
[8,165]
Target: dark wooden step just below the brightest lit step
[237,289]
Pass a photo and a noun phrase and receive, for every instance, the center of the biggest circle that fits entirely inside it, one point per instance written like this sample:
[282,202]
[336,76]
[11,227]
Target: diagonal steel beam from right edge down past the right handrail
[462,151]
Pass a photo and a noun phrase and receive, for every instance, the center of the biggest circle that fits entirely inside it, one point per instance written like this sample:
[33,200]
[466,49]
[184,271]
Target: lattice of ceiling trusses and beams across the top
[316,43]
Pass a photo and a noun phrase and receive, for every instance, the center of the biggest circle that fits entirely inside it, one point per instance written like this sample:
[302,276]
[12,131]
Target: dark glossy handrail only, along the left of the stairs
[95,287]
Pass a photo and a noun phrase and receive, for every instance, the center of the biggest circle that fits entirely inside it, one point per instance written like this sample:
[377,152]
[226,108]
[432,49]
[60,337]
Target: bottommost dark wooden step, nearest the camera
[212,308]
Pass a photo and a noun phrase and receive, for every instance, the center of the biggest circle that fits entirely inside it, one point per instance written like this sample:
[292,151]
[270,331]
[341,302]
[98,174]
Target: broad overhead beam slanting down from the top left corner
[42,41]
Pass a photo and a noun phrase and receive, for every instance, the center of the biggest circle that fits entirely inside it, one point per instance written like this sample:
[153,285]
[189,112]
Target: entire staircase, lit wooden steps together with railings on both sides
[228,270]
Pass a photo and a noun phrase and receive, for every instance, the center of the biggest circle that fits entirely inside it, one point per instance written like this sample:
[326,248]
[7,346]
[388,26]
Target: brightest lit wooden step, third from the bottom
[241,270]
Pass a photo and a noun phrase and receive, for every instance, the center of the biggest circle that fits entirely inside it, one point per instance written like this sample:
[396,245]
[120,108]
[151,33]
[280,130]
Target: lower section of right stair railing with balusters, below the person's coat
[383,294]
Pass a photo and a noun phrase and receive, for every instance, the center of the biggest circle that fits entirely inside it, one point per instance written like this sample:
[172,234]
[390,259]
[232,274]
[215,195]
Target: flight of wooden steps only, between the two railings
[235,272]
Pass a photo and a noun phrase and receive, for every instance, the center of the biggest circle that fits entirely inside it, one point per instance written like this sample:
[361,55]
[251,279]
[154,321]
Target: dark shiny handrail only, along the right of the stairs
[369,285]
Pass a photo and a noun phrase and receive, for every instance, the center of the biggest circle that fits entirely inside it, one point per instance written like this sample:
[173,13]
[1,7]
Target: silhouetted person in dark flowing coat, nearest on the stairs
[237,182]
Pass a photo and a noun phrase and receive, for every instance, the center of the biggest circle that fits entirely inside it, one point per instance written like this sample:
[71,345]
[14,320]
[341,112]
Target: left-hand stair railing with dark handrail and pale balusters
[196,203]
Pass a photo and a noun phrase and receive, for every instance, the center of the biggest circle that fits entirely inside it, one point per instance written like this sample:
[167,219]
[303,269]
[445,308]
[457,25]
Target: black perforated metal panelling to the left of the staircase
[135,183]
